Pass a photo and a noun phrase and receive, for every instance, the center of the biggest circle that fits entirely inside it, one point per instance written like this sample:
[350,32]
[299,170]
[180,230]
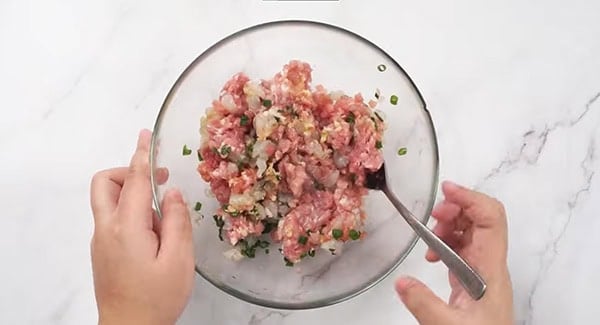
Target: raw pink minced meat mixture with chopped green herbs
[287,163]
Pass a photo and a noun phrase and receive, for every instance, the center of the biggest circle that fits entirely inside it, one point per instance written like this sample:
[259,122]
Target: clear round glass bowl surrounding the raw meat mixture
[341,60]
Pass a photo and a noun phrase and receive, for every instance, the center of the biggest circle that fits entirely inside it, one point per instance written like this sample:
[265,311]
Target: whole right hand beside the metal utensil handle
[474,225]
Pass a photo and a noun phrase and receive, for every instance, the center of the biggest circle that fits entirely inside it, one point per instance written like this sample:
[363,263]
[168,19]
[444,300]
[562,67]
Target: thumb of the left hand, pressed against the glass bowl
[176,228]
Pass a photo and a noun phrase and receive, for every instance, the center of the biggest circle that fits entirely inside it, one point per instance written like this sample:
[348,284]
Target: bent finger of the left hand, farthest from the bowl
[105,190]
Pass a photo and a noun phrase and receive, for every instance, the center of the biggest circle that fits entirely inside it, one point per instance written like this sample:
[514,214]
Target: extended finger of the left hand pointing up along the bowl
[135,205]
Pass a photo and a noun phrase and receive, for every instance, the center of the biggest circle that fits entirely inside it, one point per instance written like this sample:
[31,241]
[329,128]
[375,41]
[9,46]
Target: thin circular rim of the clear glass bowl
[323,302]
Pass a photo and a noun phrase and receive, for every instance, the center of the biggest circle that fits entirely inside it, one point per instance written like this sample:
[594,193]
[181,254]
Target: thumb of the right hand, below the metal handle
[427,308]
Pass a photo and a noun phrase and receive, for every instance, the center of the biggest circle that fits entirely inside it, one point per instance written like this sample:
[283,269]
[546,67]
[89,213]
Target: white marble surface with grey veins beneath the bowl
[513,86]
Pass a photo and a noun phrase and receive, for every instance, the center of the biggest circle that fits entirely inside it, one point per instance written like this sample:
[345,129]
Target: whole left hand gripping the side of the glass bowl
[143,266]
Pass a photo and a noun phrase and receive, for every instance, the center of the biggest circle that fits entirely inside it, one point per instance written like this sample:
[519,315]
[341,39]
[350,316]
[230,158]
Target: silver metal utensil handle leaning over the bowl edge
[465,274]
